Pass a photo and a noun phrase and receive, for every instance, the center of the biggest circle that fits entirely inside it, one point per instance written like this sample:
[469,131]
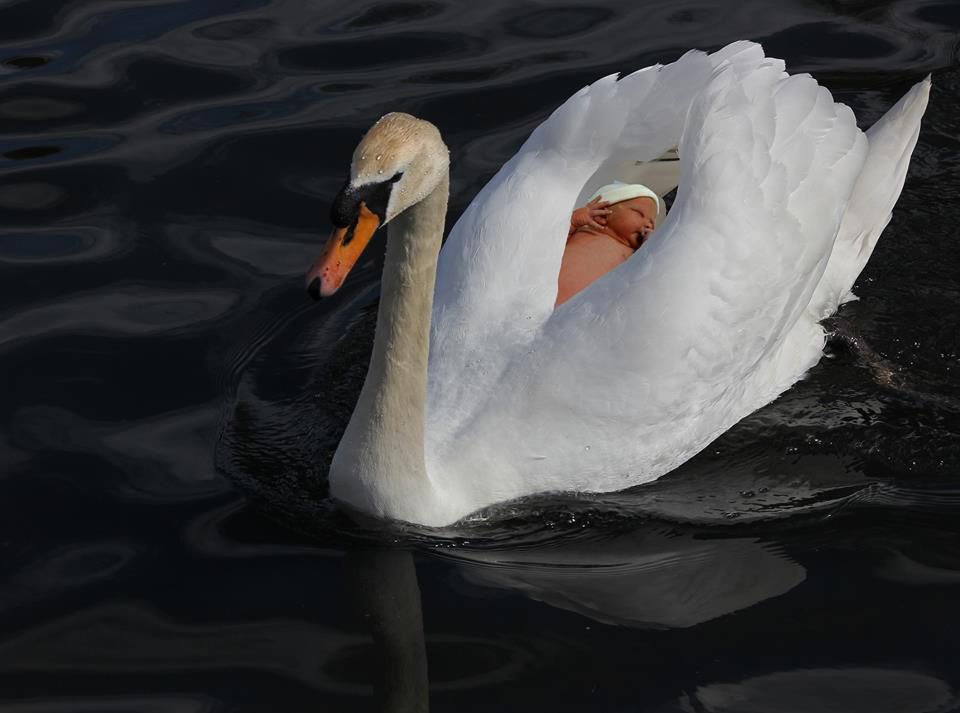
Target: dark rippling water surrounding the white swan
[169,395]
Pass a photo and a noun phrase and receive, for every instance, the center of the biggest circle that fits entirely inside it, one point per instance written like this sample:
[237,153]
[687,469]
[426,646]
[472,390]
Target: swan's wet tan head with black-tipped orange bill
[397,164]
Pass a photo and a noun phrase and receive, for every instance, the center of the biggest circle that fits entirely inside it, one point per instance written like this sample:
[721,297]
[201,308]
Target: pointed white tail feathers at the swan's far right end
[891,143]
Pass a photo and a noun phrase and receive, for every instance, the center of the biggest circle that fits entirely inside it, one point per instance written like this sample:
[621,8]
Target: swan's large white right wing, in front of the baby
[647,365]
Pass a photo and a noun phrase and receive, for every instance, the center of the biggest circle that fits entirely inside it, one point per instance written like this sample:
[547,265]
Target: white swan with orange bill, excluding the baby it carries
[780,203]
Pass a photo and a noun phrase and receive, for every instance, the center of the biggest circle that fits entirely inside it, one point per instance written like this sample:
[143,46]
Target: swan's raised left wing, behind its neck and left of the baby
[497,272]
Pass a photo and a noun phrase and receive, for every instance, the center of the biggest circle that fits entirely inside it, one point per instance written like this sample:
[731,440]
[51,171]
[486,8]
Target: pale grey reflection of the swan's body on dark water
[642,578]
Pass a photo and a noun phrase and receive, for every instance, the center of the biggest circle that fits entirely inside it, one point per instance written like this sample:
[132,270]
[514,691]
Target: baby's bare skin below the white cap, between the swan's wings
[601,237]
